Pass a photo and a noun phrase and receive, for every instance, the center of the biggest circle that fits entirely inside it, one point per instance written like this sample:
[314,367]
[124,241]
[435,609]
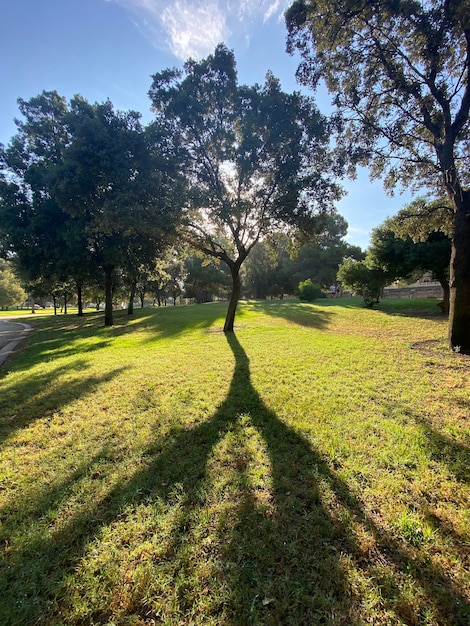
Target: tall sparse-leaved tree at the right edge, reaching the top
[400,72]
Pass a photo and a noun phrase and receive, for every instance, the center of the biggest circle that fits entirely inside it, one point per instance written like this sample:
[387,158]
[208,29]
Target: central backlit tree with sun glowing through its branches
[255,158]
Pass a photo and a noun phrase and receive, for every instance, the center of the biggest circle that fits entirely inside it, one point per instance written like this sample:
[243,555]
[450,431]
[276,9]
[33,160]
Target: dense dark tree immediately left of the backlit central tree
[114,178]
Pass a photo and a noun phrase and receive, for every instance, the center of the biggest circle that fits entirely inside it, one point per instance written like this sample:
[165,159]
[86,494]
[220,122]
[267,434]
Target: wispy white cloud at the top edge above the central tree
[193,28]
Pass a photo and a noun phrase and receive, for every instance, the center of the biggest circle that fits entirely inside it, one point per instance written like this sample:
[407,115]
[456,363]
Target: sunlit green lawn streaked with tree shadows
[313,468]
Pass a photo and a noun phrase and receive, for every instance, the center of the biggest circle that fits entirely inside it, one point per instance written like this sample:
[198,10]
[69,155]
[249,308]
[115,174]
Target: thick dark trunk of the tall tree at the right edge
[459,309]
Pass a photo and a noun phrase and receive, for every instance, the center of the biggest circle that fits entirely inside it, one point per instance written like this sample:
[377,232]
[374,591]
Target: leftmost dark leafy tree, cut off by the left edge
[44,243]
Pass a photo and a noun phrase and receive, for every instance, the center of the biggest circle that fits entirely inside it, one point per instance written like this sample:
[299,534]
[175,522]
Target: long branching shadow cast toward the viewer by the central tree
[283,562]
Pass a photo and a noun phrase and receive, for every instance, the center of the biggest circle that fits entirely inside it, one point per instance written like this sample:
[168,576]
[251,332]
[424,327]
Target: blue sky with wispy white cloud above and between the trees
[110,49]
